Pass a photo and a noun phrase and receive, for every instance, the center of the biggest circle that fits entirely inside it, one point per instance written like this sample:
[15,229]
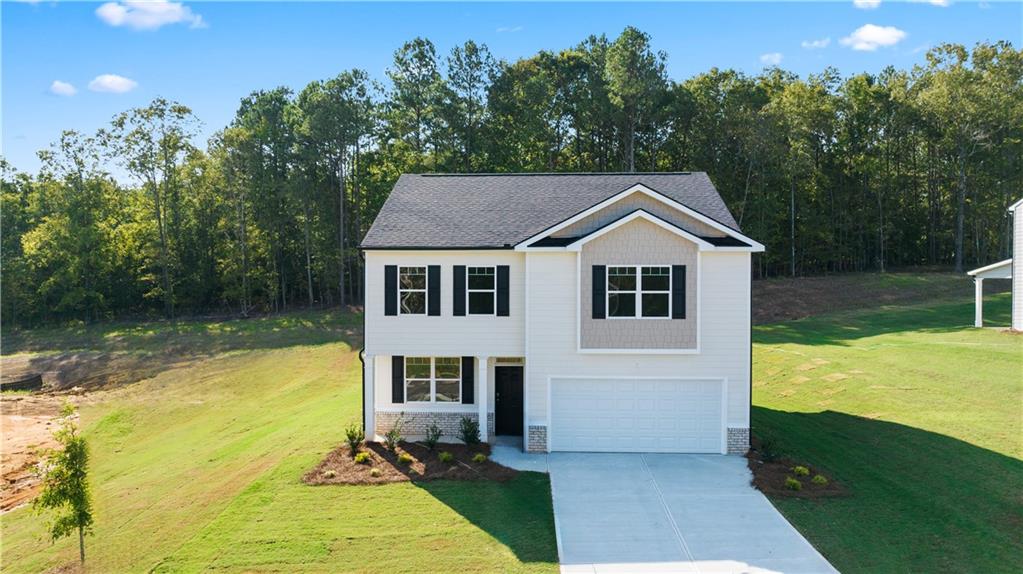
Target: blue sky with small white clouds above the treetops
[208,56]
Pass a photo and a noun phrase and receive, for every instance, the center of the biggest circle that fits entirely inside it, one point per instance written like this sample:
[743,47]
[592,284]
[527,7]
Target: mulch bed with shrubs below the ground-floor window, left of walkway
[341,468]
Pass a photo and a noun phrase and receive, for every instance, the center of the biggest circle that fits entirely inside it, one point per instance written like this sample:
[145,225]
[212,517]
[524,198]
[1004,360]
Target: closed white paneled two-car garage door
[637,415]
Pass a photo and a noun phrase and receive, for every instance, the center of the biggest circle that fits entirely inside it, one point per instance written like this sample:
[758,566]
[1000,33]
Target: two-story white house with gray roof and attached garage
[583,313]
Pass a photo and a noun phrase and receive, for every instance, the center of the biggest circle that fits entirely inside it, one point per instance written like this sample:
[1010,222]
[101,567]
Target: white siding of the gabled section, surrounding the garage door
[725,339]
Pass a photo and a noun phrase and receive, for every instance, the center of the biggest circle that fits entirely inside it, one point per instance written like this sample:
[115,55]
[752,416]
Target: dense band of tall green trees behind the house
[832,173]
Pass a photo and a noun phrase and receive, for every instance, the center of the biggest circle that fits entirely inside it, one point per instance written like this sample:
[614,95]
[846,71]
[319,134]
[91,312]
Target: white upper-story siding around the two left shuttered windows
[444,335]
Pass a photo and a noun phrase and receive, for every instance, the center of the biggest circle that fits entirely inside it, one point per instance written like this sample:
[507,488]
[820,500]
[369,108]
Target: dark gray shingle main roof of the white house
[477,211]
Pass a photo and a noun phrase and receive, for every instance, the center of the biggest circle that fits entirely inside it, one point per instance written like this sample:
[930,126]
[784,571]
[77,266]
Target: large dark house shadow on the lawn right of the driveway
[920,501]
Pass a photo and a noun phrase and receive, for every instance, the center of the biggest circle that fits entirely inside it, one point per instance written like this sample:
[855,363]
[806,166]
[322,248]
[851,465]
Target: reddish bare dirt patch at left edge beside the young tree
[28,423]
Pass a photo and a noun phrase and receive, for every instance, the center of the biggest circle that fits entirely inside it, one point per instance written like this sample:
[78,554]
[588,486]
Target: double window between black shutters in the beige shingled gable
[640,292]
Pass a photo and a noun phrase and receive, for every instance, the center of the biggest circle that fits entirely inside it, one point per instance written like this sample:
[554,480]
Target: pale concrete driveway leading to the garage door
[671,513]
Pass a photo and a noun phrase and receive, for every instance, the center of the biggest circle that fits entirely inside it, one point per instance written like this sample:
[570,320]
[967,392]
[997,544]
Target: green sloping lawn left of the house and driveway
[200,468]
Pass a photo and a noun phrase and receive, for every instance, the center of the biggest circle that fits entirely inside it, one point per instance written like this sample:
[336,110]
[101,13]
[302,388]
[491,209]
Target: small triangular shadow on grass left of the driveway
[518,514]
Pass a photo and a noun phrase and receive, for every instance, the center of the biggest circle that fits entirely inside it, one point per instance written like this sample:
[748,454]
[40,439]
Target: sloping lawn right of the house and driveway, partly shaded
[920,416]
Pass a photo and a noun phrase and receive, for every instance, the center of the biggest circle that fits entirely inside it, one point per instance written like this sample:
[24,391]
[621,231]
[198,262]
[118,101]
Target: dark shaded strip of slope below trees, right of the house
[841,328]
